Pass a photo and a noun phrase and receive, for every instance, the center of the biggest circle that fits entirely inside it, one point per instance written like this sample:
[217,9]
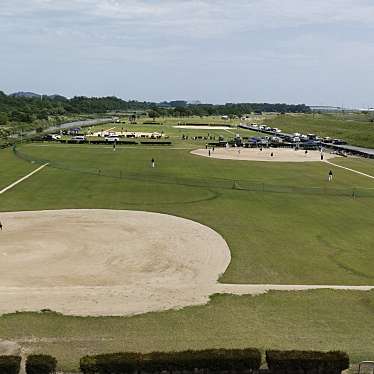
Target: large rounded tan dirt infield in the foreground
[104,262]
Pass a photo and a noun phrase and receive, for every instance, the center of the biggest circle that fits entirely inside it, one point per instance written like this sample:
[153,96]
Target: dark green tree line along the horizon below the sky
[21,109]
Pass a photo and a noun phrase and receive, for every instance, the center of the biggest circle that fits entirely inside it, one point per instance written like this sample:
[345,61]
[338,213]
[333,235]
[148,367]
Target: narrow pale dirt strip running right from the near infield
[257,289]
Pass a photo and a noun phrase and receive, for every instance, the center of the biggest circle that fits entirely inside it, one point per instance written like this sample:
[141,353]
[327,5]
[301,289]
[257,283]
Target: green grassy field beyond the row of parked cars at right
[356,130]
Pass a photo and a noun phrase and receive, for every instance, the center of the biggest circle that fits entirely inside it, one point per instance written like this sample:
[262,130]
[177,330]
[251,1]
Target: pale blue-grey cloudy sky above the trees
[317,52]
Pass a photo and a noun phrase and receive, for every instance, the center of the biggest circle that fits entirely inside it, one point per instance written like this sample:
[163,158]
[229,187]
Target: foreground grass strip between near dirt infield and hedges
[320,320]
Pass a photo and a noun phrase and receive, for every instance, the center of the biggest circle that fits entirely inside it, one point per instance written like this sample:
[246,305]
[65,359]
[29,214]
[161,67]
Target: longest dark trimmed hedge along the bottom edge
[155,362]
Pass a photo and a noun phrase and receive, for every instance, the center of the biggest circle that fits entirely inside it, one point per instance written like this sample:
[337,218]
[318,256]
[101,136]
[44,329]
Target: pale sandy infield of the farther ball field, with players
[255,154]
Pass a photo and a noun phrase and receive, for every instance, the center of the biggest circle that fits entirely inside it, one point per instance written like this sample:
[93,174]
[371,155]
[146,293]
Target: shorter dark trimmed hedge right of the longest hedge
[292,362]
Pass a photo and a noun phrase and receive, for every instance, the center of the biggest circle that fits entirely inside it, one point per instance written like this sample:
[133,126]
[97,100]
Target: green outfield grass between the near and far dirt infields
[291,238]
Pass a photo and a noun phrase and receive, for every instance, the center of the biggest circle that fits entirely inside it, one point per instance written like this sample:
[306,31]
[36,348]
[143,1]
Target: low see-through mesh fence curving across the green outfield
[197,181]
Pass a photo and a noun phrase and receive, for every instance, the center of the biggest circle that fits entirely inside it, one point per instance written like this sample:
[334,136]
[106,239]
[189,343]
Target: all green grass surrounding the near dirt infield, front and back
[274,237]
